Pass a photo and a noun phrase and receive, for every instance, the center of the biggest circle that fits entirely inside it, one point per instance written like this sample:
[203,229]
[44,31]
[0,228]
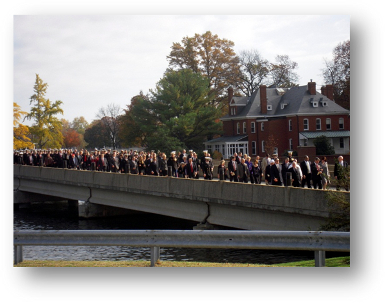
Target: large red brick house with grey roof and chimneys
[290,117]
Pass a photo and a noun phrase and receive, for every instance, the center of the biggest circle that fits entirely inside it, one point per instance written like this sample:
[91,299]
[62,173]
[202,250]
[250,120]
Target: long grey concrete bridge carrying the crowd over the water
[209,203]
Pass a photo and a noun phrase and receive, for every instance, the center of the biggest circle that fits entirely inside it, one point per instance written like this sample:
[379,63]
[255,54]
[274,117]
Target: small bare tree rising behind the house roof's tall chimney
[282,72]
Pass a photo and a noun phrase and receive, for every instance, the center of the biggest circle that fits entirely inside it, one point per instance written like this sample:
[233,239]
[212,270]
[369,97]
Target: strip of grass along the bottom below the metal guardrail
[329,262]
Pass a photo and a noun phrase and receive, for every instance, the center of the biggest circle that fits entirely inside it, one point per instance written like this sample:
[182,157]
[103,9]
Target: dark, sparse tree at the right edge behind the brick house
[337,73]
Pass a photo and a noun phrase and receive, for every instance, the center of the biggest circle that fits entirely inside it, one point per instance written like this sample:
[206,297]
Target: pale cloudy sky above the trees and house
[90,61]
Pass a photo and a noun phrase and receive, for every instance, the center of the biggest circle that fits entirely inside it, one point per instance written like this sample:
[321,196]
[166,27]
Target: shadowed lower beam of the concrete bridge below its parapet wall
[215,212]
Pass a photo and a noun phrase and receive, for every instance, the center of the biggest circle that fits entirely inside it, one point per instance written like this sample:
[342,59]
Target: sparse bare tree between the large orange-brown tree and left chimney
[254,70]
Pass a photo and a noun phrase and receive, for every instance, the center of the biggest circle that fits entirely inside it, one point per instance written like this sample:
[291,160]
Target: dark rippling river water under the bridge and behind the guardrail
[60,216]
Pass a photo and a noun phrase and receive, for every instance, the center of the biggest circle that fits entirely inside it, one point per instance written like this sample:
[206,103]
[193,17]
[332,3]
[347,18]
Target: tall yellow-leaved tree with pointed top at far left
[46,130]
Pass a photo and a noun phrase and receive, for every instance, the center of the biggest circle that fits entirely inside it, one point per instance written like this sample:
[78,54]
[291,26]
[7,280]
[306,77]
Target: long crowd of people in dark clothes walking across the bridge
[240,168]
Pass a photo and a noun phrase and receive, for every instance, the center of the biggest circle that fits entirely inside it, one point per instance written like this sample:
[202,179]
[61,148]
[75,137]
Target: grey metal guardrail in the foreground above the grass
[316,241]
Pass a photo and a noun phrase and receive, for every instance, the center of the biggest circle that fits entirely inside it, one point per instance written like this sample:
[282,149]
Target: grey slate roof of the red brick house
[286,102]
